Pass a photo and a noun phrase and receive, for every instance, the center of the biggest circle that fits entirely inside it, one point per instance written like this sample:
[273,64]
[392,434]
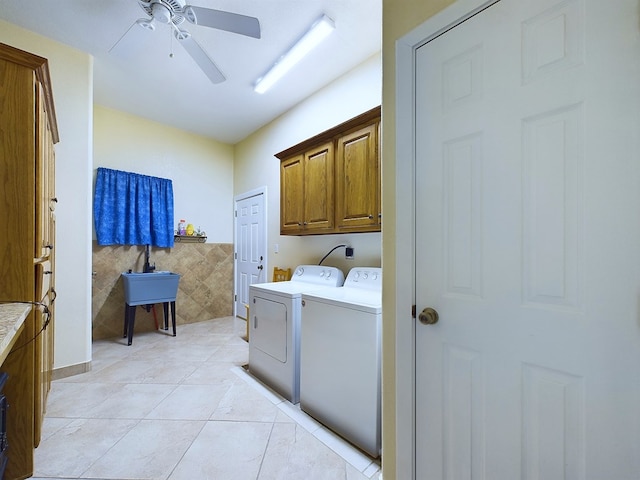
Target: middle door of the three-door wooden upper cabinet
[318,189]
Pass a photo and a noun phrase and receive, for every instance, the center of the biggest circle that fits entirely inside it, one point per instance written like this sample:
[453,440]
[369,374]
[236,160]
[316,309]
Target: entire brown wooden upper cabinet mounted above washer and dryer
[331,183]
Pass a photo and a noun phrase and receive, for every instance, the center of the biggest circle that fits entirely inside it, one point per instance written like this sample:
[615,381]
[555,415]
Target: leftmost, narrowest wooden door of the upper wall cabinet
[291,194]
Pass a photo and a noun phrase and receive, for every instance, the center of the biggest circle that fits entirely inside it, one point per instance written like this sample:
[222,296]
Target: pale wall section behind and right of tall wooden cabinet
[71,78]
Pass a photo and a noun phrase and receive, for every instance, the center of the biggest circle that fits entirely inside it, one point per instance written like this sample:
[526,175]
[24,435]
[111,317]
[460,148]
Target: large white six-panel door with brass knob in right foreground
[527,233]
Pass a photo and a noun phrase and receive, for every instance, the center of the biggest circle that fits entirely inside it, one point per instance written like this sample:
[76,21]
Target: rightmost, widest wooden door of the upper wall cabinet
[358,181]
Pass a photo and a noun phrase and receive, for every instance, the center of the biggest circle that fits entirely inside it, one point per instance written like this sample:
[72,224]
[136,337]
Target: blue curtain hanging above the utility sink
[133,209]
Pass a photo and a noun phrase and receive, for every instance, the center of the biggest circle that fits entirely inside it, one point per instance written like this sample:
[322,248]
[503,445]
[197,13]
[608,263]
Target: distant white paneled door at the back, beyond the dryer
[250,247]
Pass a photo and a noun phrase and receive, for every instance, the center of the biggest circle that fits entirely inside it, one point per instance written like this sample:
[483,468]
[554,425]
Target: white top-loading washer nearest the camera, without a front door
[340,357]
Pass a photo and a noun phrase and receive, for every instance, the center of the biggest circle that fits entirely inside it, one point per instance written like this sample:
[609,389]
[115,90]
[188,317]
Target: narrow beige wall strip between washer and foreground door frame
[399,18]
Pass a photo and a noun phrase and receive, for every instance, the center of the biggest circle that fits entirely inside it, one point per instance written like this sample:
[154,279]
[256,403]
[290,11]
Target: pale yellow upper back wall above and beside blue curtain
[201,168]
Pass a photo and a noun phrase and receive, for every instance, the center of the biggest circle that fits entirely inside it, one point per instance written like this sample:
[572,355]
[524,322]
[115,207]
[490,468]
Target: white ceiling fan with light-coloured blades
[174,12]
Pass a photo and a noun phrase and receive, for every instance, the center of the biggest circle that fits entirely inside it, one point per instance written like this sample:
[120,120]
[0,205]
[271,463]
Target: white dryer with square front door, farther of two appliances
[274,329]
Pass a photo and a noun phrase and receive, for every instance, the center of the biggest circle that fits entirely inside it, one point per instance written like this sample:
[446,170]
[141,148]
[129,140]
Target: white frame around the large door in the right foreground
[405,254]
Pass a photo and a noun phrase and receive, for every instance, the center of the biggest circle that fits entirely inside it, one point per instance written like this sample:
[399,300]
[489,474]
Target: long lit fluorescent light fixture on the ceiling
[318,32]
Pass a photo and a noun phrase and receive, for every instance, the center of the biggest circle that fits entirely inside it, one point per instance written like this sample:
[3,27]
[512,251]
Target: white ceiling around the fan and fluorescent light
[139,77]
